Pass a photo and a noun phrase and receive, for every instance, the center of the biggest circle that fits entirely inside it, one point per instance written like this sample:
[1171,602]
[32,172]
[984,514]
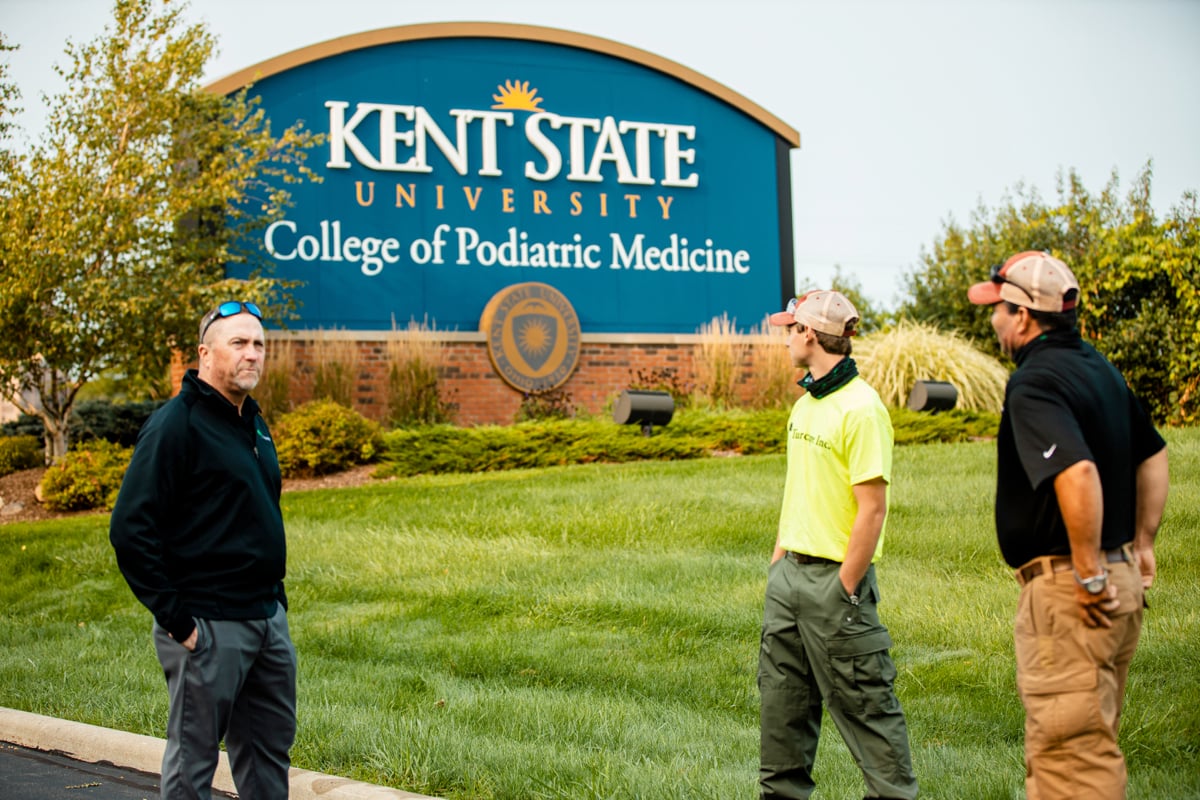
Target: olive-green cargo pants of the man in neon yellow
[819,647]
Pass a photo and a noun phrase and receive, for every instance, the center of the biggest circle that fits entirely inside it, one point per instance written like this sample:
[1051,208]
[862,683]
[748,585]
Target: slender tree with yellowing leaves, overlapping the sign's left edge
[118,224]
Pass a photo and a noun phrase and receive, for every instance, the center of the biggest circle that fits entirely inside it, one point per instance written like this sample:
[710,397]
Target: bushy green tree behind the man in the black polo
[1139,280]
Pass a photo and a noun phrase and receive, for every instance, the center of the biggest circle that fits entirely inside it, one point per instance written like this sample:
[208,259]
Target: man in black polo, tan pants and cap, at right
[1081,494]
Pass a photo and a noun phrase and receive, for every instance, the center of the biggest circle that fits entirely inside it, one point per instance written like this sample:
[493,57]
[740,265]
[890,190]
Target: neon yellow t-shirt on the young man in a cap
[833,443]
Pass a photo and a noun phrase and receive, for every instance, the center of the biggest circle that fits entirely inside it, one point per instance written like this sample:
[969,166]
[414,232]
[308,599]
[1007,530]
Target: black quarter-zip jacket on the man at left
[197,526]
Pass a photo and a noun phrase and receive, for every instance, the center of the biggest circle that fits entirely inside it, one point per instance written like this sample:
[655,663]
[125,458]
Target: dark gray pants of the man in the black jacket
[238,684]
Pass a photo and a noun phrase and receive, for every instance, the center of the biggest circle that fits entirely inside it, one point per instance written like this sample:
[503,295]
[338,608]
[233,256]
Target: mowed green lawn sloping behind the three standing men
[593,631]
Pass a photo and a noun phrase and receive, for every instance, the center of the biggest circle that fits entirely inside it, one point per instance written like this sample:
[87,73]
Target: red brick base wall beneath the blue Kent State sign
[608,366]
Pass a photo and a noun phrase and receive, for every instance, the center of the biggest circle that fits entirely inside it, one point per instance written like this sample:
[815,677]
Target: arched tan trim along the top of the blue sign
[503,31]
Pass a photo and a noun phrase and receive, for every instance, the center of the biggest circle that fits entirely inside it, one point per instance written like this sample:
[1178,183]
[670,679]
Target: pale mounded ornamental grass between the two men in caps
[895,360]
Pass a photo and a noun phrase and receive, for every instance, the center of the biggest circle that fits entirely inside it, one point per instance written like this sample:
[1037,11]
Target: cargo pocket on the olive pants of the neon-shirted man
[863,673]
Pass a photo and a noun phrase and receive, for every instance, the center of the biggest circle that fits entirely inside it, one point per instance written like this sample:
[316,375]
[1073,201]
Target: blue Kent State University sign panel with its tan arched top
[461,160]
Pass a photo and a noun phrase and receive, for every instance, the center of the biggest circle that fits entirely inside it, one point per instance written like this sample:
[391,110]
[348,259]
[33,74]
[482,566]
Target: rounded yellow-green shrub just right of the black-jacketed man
[323,437]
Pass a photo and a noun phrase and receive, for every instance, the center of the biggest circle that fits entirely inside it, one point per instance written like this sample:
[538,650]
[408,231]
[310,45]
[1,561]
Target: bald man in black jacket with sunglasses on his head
[200,539]
